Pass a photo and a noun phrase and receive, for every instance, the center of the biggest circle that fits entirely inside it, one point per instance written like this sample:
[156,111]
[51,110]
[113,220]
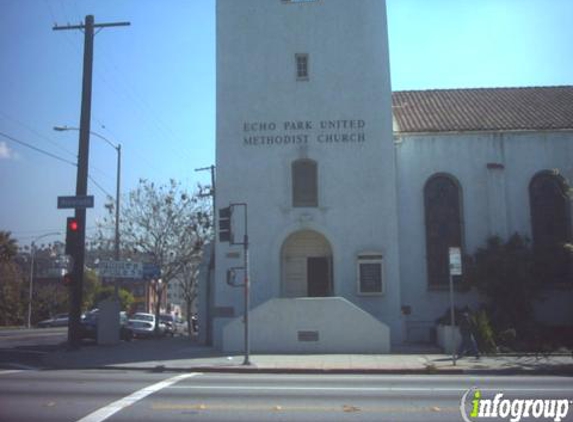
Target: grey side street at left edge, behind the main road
[25,347]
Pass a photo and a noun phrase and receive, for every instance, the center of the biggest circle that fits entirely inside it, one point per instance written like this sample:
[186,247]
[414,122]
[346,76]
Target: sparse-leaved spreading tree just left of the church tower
[163,224]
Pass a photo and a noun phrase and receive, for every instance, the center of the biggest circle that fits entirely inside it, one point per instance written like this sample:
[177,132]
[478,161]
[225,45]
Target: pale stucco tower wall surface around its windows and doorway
[349,81]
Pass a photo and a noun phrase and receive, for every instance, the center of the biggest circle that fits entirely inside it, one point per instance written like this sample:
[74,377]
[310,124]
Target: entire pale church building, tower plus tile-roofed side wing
[354,193]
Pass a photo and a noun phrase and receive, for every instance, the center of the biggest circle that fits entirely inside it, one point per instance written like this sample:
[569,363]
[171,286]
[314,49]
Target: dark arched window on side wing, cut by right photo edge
[550,226]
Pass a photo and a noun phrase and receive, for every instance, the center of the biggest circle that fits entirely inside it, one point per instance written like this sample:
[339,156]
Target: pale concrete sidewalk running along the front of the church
[180,354]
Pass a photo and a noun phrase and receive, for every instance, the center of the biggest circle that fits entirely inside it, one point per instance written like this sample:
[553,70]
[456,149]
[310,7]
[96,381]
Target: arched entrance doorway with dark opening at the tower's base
[306,259]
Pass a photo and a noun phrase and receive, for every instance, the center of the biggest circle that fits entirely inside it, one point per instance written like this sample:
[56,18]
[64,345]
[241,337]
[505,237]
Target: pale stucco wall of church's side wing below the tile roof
[495,201]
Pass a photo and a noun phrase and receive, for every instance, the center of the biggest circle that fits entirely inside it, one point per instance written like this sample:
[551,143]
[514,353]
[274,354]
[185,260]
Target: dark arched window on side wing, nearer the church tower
[442,207]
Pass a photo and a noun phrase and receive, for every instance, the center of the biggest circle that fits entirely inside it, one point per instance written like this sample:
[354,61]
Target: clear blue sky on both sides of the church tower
[154,86]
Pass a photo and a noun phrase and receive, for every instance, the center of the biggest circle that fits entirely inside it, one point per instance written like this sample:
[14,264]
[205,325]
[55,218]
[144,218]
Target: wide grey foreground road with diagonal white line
[94,396]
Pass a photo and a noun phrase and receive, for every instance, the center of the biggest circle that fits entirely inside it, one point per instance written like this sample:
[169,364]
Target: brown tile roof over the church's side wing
[483,109]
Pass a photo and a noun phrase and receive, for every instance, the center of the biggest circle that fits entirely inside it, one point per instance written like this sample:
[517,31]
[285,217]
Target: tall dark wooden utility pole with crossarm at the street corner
[82,174]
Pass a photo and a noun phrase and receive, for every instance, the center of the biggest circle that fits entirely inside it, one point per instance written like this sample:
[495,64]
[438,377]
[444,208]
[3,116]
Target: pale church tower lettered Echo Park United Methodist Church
[304,137]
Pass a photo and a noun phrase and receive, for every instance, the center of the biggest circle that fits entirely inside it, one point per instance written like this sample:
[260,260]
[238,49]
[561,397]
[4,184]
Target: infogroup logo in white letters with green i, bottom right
[475,407]
